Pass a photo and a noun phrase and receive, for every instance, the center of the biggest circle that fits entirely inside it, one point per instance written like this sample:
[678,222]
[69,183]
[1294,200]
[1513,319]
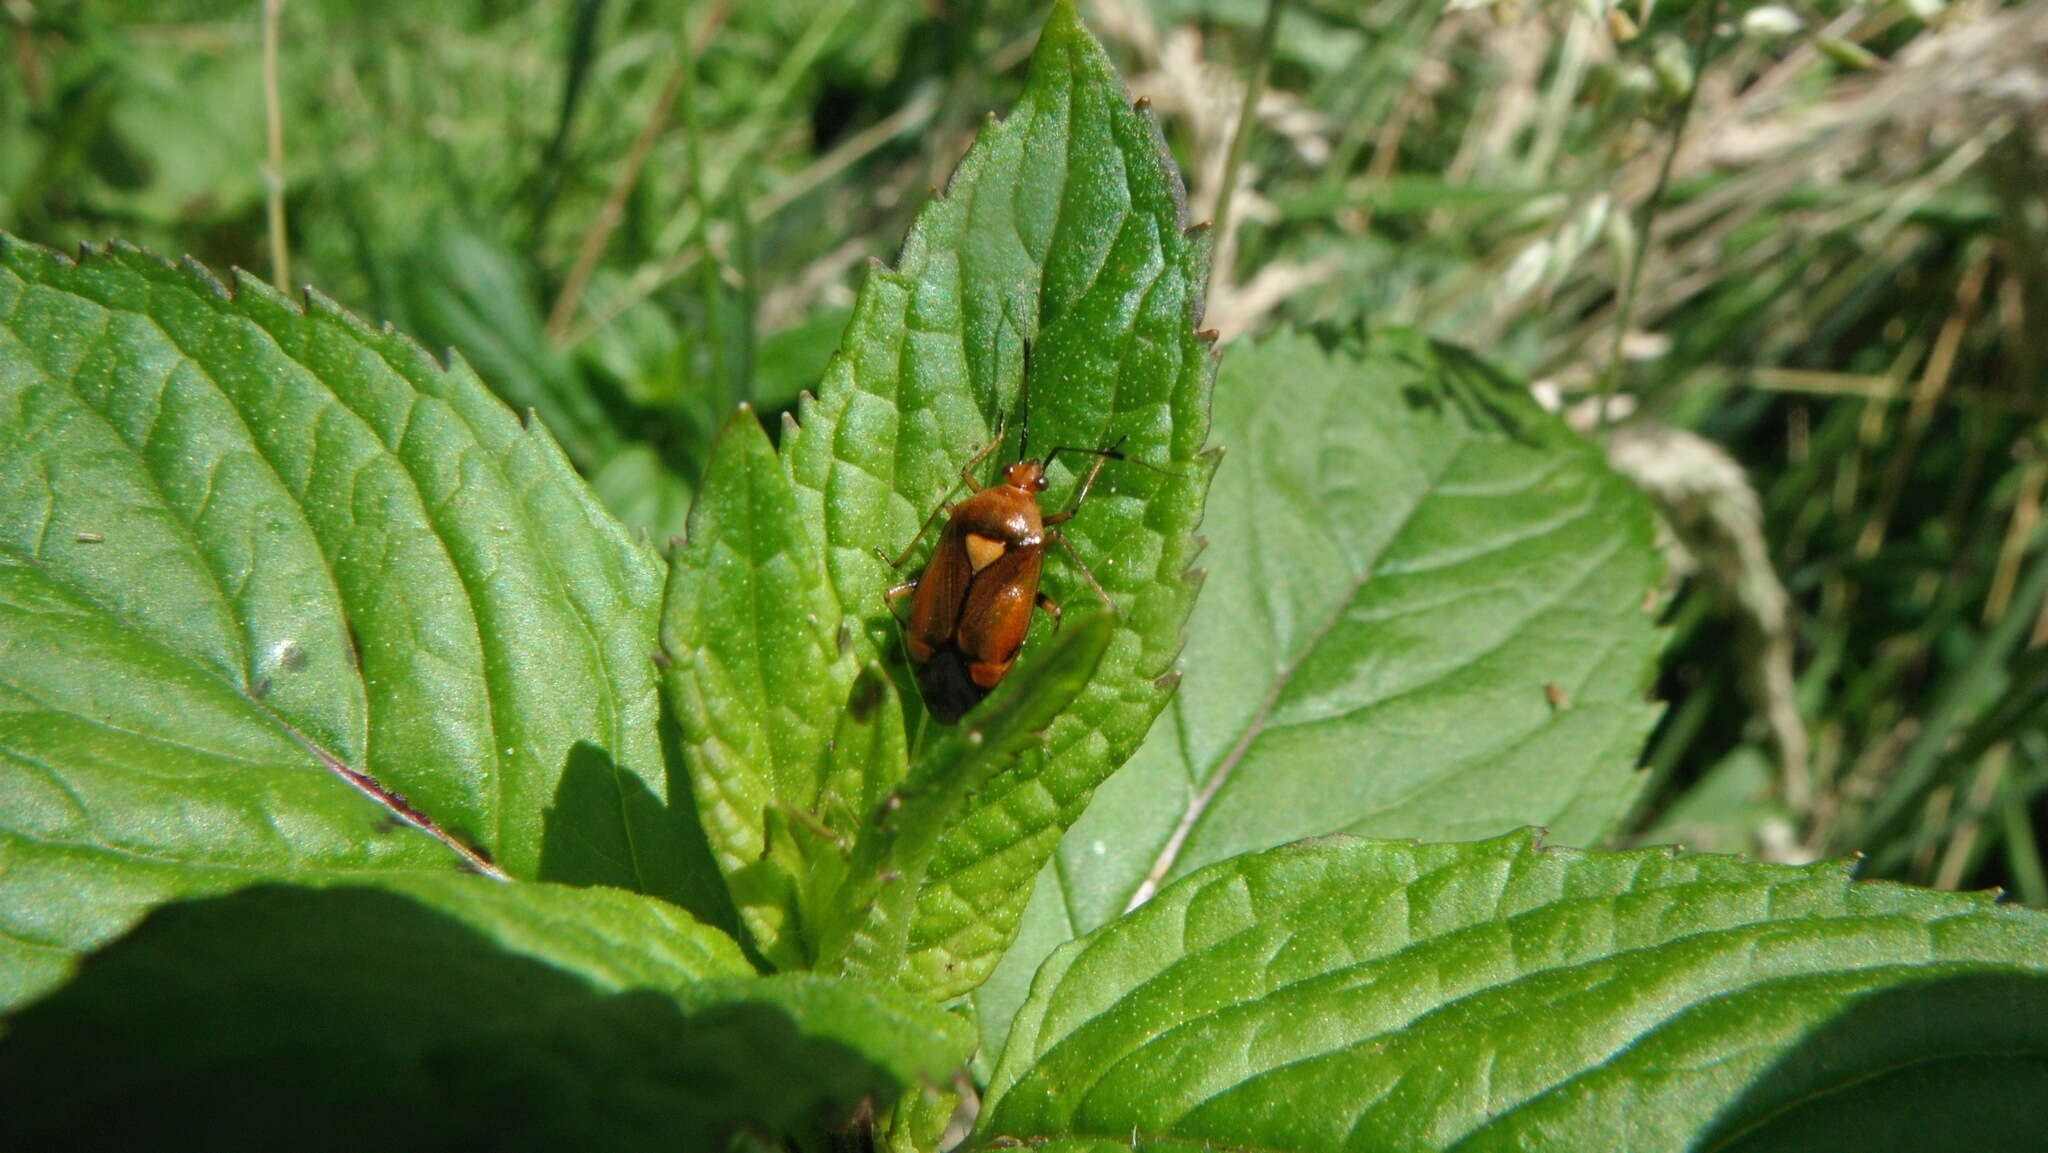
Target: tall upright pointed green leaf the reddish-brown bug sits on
[1064,226]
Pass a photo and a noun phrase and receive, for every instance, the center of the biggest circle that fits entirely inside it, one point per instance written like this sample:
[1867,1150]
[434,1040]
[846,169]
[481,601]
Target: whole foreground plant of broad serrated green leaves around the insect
[366,777]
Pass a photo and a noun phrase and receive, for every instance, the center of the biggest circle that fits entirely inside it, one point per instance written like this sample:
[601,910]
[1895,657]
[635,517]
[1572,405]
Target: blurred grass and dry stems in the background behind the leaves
[1789,263]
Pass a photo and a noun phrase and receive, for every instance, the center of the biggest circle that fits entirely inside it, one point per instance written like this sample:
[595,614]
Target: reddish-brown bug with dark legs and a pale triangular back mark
[974,603]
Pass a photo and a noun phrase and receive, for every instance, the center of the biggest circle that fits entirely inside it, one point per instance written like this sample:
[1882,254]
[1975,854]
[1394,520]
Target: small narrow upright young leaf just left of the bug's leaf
[761,679]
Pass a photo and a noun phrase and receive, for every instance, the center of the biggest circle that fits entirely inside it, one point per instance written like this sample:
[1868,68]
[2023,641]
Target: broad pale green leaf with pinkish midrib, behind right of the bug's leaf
[1406,558]
